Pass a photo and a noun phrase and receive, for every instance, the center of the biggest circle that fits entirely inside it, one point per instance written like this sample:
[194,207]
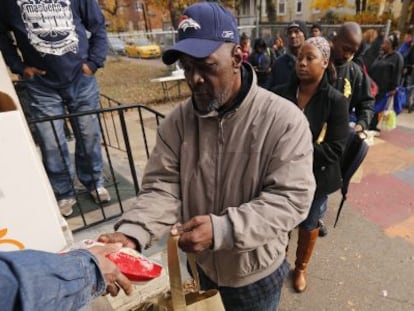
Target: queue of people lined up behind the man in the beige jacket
[336,81]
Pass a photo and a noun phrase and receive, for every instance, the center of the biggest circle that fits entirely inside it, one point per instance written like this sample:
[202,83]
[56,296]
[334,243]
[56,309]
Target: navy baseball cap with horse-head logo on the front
[202,29]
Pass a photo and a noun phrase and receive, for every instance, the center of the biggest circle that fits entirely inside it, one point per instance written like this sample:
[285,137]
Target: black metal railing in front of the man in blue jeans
[128,133]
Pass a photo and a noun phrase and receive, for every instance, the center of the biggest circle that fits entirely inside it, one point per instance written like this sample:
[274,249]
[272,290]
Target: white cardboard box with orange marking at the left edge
[29,216]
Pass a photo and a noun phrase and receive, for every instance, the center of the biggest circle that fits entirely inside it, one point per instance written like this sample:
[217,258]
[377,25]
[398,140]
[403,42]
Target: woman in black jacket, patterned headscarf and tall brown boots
[327,112]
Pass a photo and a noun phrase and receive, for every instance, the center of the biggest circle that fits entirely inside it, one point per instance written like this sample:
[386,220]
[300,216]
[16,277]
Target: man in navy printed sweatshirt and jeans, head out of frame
[58,61]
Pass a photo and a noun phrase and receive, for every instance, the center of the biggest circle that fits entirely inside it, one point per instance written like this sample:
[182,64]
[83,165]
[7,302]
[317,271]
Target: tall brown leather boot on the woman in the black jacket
[306,242]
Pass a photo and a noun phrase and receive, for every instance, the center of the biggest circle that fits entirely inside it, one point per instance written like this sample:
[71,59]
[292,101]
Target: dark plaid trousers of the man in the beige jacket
[262,295]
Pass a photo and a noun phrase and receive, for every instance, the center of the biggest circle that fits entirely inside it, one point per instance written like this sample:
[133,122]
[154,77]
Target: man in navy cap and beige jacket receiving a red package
[232,164]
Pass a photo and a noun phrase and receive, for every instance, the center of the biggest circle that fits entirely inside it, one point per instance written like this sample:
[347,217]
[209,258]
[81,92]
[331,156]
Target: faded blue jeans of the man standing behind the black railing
[81,95]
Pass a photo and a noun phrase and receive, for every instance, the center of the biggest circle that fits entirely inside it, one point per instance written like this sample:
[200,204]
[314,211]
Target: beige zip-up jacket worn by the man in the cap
[250,170]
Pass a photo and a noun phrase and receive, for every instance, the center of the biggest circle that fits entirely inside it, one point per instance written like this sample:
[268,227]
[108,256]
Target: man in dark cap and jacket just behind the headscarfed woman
[284,65]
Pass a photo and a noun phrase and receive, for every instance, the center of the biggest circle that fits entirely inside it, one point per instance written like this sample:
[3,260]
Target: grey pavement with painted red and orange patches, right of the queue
[367,261]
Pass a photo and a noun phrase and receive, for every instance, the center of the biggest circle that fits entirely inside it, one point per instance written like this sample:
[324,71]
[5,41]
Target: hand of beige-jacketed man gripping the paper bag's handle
[196,235]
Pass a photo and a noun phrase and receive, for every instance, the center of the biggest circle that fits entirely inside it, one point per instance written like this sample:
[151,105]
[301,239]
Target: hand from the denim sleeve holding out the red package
[113,277]
